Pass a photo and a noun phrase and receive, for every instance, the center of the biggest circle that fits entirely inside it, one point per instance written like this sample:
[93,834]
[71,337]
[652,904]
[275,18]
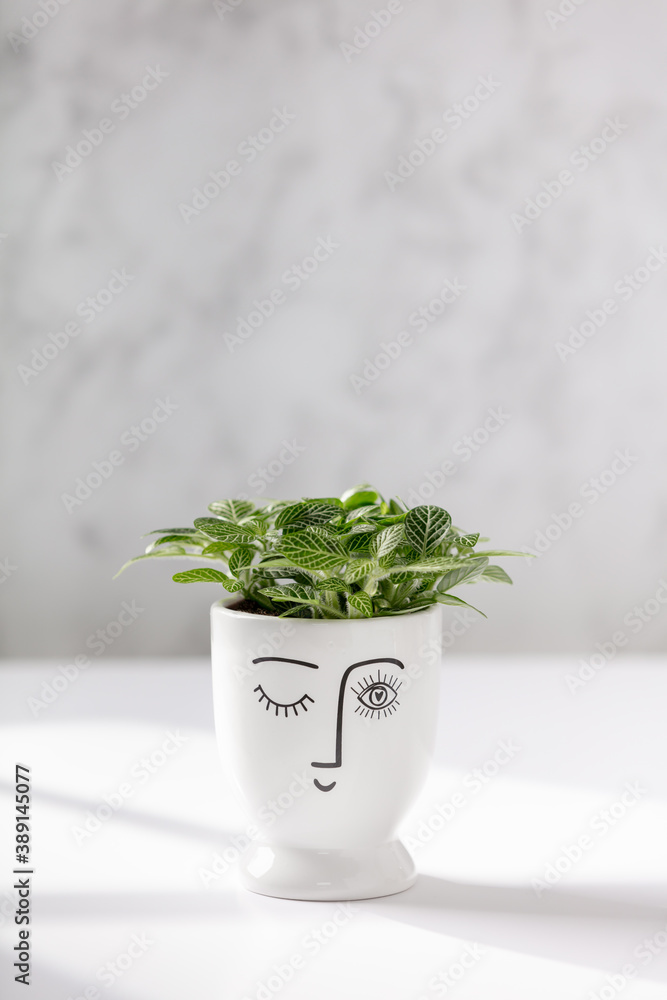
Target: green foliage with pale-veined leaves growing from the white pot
[354,556]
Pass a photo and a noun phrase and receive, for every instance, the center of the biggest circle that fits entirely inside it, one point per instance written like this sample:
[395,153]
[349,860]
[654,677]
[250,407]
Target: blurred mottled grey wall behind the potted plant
[417,243]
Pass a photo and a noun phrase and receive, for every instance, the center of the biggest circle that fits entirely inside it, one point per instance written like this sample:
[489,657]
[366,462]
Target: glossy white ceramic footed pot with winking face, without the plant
[327,728]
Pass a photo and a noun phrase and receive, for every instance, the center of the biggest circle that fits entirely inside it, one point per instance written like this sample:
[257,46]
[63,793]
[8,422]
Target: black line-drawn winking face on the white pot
[376,691]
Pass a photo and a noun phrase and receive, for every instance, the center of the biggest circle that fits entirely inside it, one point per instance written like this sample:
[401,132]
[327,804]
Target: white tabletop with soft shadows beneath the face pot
[141,872]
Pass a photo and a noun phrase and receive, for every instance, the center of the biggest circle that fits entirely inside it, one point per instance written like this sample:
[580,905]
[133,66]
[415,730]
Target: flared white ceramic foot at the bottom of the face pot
[301,873]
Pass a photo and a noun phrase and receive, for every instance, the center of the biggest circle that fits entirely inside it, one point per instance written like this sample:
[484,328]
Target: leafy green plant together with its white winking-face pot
[325,674]
